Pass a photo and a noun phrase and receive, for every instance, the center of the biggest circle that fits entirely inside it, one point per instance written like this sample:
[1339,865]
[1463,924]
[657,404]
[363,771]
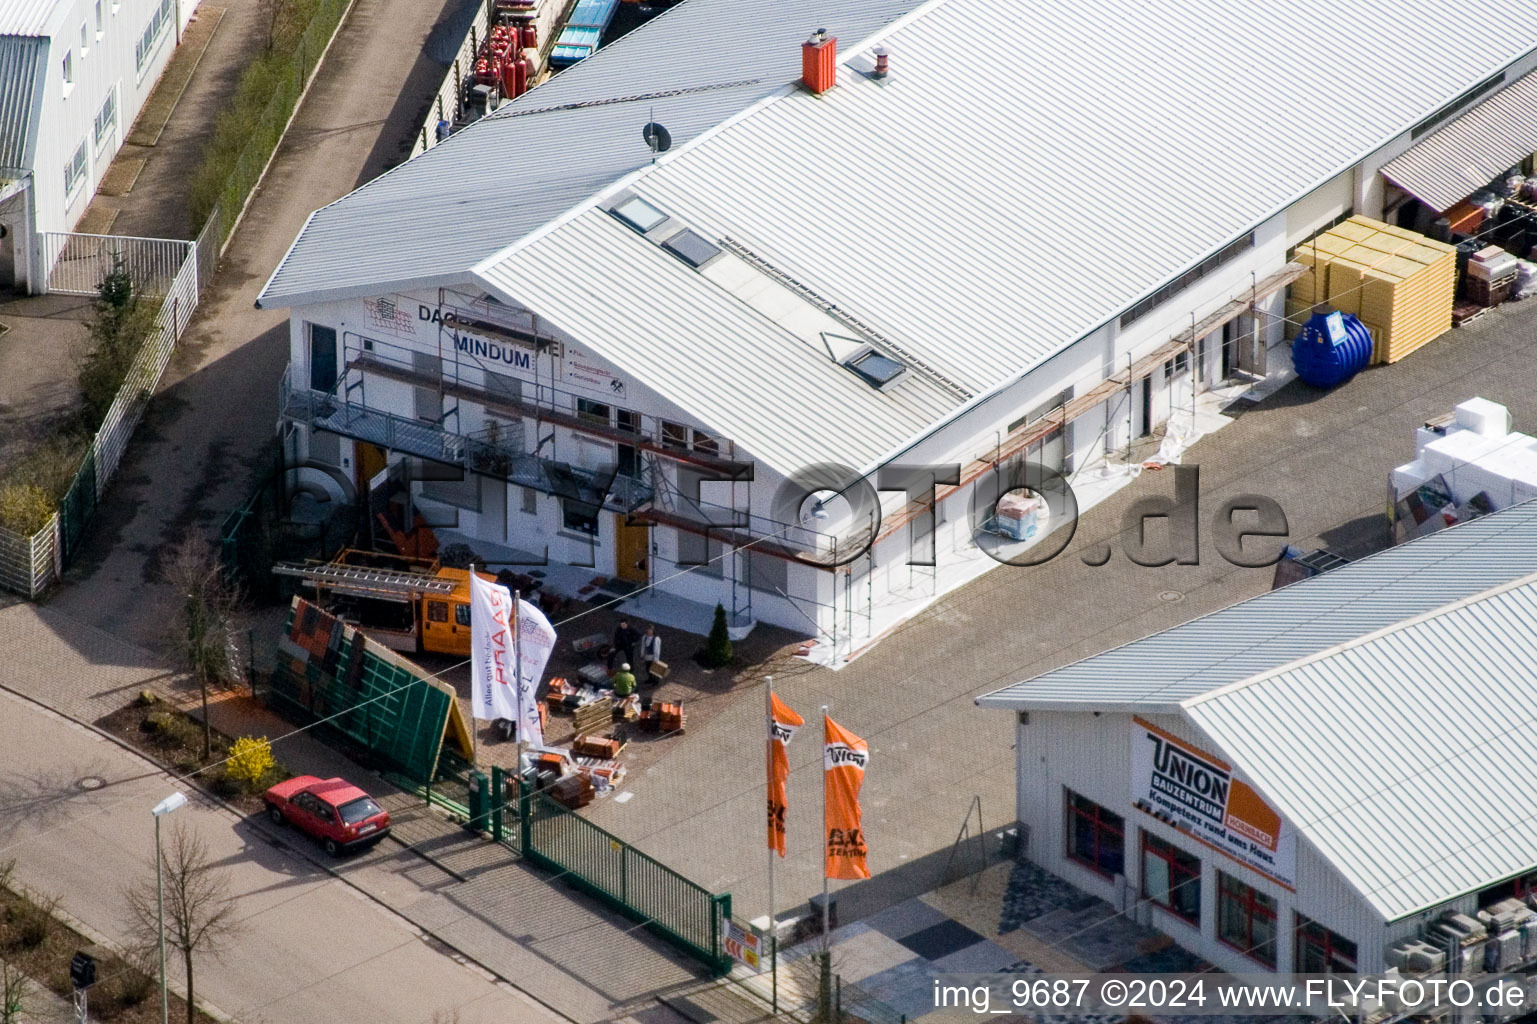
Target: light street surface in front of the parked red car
[311,949]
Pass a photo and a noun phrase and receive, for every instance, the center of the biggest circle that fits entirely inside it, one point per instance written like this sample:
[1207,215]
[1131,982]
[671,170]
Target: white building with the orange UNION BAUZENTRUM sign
[1313,779]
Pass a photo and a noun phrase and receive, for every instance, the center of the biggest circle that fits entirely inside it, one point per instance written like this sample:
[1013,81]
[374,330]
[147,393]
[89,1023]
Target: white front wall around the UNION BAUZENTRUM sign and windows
[1092,756]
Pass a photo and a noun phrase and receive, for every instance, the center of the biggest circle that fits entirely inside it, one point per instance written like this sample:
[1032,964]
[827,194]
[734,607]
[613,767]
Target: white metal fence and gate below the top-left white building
[30,565]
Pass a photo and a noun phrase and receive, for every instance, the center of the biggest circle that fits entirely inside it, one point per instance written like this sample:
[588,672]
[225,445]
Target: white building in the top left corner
[73,78]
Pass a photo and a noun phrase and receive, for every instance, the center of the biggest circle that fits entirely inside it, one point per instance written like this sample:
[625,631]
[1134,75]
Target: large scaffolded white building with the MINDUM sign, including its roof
[1047,248]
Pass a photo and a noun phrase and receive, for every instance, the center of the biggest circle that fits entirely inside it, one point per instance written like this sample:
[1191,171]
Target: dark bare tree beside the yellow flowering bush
[205,634]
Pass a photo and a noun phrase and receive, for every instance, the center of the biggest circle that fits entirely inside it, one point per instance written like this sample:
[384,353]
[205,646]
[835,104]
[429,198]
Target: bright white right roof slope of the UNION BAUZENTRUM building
[1407,759]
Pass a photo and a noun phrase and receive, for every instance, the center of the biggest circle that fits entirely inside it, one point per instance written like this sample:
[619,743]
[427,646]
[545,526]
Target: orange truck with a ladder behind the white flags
[408,605]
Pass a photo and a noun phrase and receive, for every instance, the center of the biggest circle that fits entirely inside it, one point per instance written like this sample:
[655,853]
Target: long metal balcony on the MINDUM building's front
[324,411]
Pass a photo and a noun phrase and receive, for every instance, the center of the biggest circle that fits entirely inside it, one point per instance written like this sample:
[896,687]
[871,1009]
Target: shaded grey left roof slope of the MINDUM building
[559,145]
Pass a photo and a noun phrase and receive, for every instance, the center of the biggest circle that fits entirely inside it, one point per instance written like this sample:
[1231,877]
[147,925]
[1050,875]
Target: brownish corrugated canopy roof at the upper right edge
[1461,159]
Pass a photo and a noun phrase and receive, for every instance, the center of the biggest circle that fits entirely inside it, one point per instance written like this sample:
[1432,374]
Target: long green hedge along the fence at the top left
[250,131]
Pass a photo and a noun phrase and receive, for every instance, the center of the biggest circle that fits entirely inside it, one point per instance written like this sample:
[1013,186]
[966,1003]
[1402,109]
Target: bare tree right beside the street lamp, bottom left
[201,914]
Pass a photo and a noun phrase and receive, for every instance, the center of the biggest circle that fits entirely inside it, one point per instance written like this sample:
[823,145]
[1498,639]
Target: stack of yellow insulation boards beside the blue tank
[1399,284]
